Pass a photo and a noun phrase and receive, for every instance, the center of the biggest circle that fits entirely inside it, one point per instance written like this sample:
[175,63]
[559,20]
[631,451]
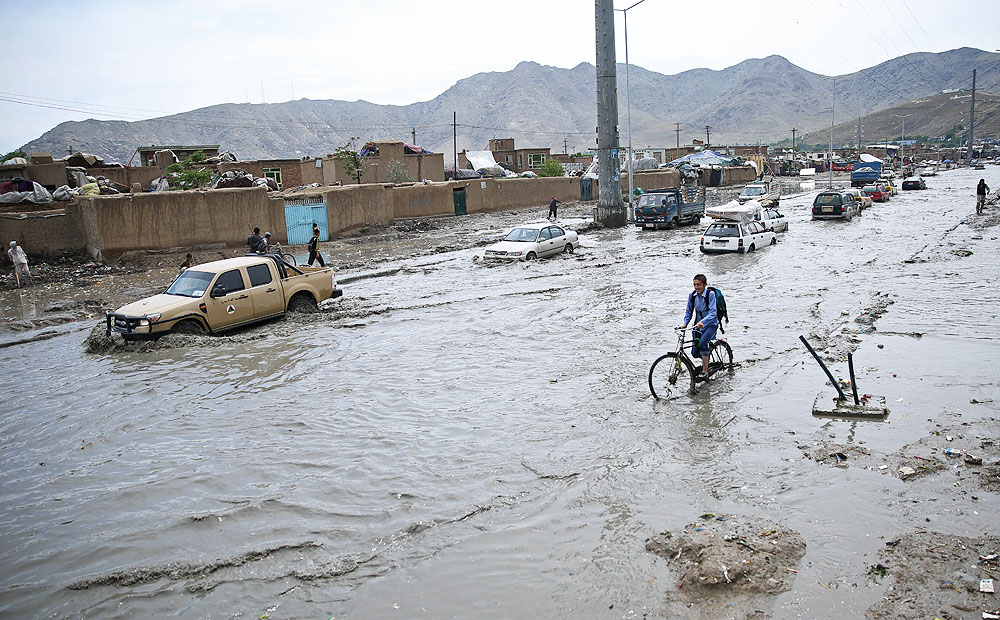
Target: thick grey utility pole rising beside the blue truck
[610,210]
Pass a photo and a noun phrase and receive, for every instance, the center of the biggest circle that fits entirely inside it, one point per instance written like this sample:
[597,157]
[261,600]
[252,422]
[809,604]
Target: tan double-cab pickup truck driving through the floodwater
[224,294]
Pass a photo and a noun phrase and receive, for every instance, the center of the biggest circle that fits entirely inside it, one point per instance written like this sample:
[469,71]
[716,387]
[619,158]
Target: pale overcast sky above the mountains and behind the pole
[129,60]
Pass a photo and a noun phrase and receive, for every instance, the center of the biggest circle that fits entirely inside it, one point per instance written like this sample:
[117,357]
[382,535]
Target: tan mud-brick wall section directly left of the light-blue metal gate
[115,224]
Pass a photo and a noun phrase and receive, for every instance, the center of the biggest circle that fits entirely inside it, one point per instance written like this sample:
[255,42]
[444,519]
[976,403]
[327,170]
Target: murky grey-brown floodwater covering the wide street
[454,439]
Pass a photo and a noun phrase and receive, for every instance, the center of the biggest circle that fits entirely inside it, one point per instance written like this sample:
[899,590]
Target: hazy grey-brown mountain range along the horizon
[757,100]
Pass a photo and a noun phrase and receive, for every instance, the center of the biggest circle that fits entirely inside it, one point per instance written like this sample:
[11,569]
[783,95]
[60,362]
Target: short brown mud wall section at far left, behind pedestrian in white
[57,231]
